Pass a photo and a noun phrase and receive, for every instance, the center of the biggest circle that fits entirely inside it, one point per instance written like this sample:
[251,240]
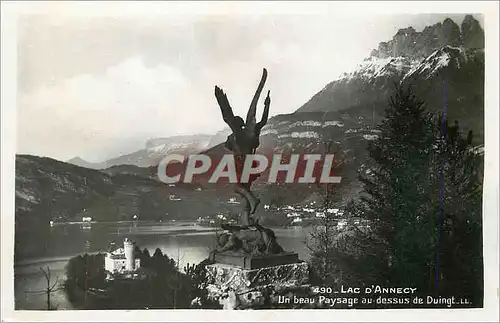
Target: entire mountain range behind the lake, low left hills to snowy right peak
[442,58]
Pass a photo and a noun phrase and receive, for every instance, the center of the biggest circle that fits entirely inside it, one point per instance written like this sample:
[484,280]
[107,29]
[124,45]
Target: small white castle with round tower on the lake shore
[122,260]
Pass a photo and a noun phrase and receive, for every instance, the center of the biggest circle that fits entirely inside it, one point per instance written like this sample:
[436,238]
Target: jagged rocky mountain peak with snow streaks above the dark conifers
[420,58]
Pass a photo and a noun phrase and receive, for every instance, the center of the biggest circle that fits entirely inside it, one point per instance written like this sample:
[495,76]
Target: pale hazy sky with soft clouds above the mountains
[100,87]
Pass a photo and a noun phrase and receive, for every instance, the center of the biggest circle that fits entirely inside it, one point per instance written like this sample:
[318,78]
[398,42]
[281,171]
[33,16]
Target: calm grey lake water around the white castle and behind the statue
[186,242]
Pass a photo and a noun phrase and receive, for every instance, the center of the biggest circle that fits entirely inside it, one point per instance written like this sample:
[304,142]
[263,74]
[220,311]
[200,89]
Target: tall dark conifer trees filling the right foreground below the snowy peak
[422,200]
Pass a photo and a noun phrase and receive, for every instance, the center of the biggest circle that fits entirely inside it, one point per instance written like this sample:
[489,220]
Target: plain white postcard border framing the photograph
[9,12]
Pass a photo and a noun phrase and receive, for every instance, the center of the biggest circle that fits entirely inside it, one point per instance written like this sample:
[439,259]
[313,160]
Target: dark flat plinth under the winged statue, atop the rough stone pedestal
[255,261]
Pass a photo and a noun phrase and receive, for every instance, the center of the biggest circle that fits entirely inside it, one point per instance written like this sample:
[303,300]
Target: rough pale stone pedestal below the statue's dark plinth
[240,288]
